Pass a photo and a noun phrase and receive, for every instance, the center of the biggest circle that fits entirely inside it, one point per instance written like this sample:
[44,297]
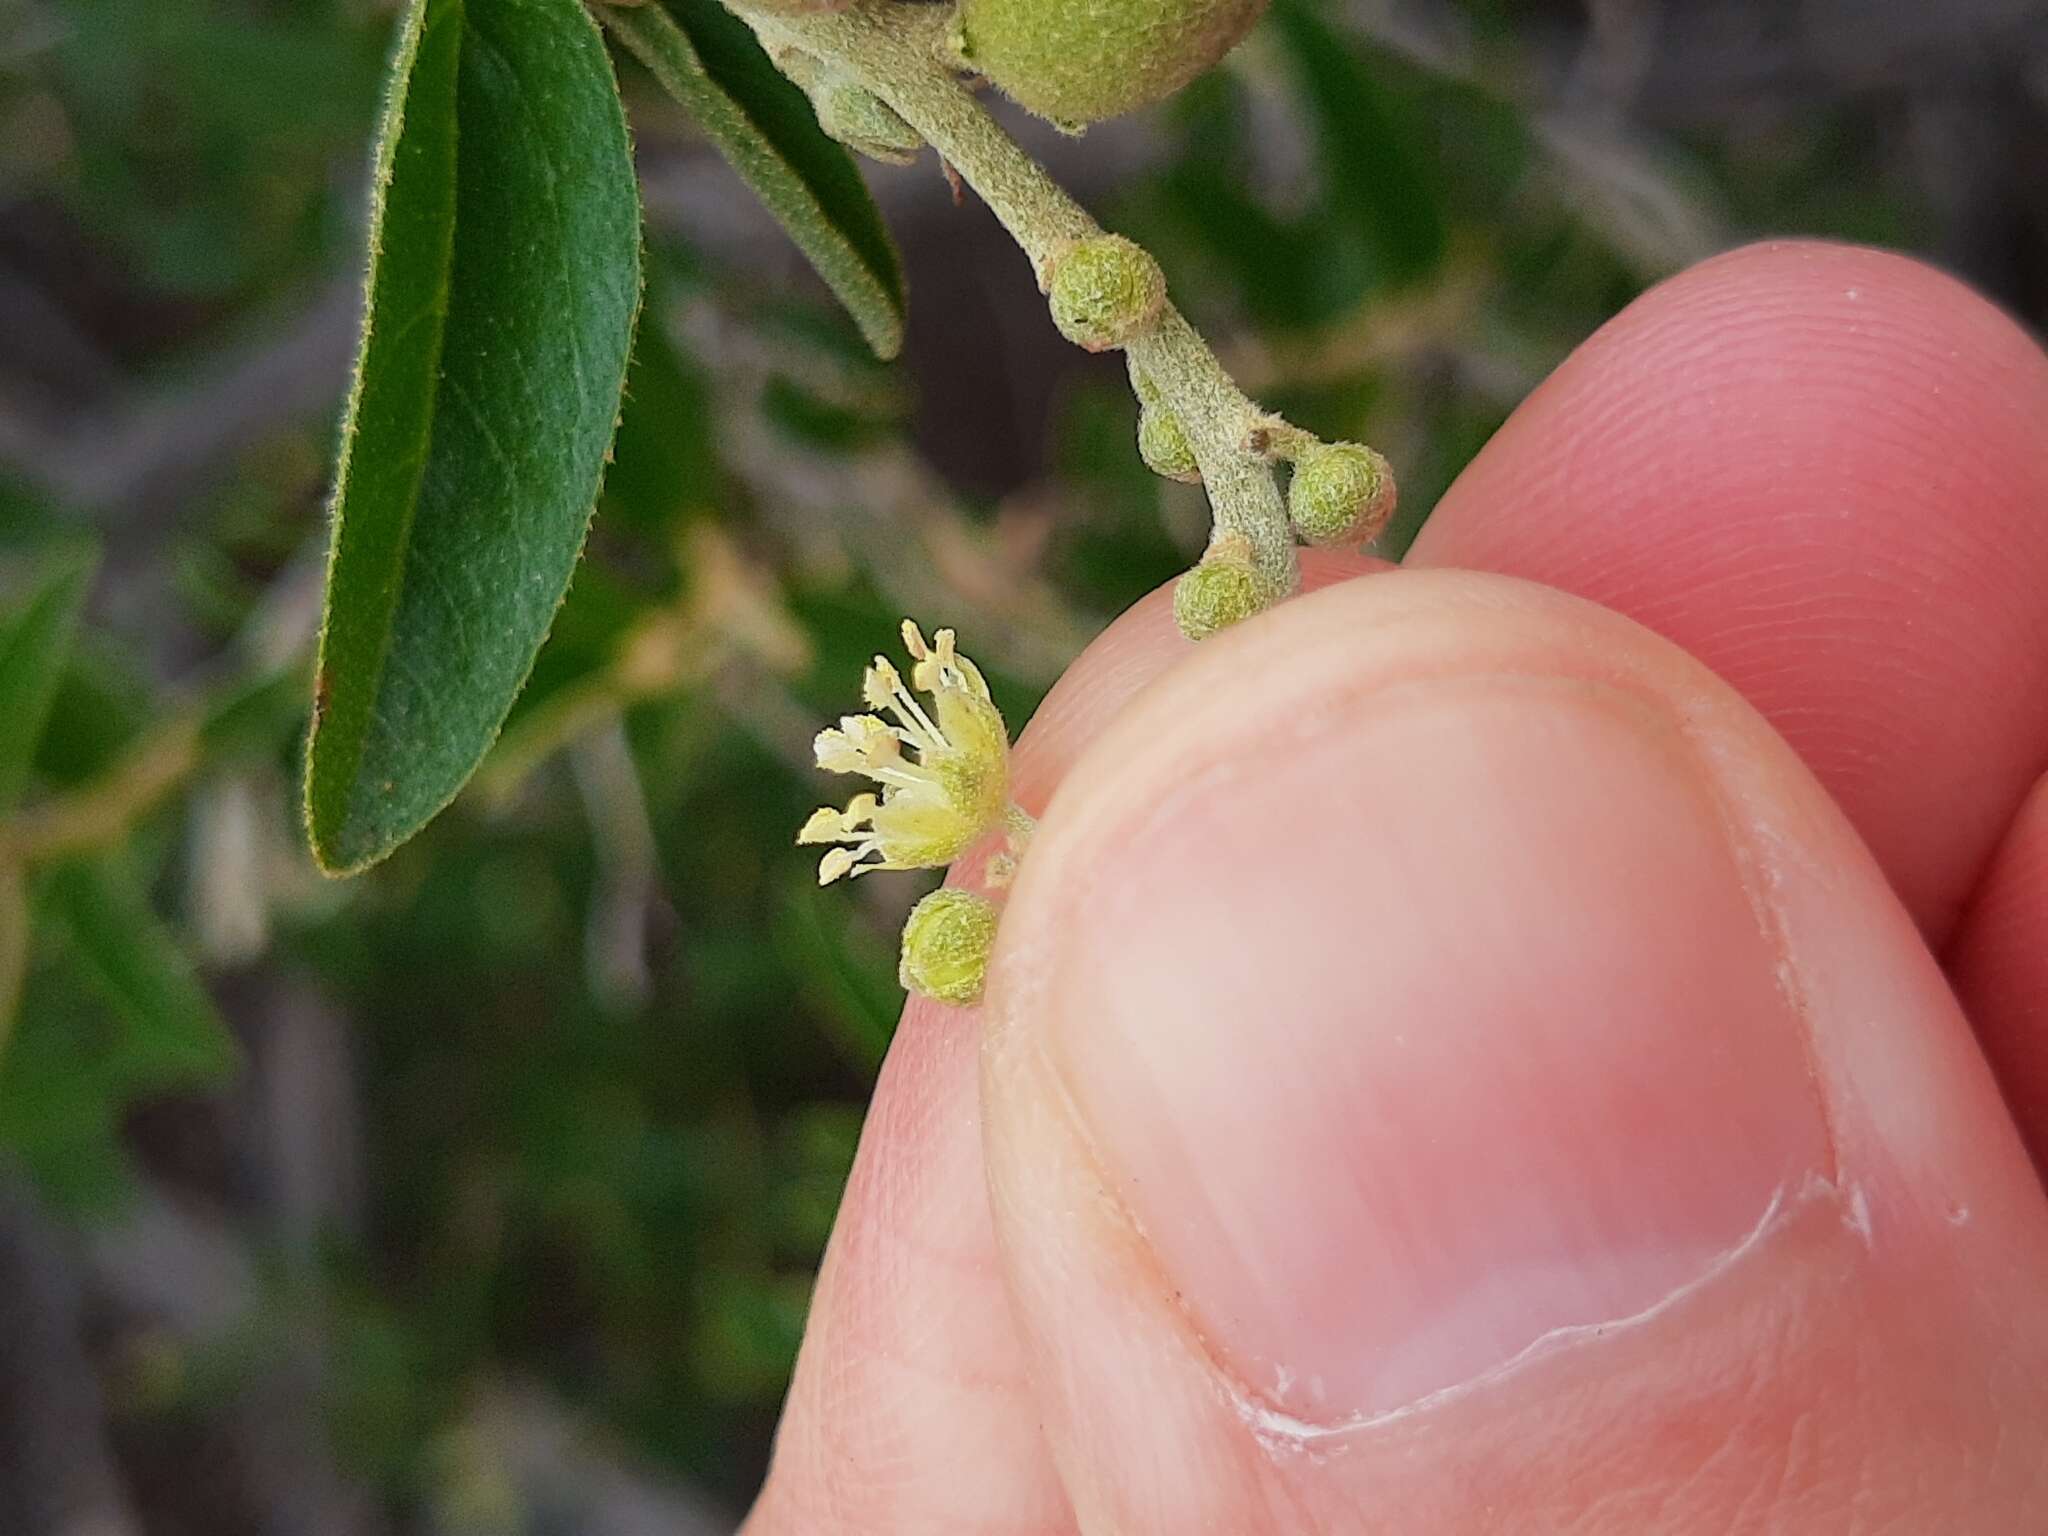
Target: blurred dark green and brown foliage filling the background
[484,1195]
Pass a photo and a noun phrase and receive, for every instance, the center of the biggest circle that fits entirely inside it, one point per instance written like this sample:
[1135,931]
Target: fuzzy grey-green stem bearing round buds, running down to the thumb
[898,52]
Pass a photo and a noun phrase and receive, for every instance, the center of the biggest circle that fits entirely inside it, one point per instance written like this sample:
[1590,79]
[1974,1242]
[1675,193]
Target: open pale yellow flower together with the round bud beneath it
[943,785]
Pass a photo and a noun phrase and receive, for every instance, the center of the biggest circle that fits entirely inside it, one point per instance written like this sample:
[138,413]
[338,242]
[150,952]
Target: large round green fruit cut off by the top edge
[1082,60]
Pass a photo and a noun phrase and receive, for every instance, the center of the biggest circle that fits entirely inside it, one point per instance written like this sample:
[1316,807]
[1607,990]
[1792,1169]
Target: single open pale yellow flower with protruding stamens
[943,775]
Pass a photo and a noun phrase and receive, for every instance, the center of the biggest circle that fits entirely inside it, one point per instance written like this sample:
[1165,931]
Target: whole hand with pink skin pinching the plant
[1607,1021]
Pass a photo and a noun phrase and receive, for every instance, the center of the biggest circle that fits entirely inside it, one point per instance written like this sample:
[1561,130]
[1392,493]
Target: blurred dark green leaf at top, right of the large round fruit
[1369,155]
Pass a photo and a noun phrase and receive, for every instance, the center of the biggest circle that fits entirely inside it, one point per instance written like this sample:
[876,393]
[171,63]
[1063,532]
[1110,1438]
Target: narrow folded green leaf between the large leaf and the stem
[763,124]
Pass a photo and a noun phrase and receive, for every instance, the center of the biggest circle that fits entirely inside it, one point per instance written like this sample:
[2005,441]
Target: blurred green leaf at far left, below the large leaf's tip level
[171,1035]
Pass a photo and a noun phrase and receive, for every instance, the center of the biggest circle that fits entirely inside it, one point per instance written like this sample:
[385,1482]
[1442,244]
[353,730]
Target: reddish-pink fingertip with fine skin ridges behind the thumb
[1824,472]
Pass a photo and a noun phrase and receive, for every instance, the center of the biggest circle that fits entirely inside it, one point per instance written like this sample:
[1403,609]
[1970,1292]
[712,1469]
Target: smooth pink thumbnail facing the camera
[1459,1029]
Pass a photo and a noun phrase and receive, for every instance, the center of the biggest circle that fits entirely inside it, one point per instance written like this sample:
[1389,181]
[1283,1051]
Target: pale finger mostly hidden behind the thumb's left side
[910,1410]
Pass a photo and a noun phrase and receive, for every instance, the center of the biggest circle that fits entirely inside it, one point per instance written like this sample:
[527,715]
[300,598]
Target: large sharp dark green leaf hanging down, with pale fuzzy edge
[503,296]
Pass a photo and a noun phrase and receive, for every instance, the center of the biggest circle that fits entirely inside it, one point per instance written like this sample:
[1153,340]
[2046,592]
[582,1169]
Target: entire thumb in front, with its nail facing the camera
[1447,1056]
